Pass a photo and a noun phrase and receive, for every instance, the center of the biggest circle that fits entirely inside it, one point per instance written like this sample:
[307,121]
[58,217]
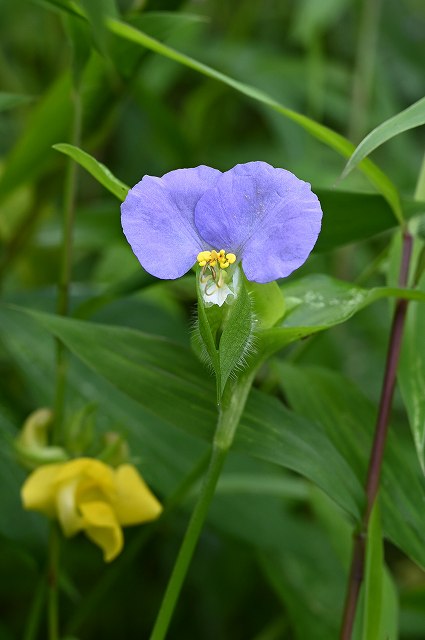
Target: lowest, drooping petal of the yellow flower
[102,527]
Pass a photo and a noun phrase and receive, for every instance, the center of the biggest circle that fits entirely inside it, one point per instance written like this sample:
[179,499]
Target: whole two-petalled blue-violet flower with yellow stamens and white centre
[254,215]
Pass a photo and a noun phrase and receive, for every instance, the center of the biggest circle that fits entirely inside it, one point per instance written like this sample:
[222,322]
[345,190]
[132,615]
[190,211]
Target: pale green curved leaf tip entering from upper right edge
[413,116]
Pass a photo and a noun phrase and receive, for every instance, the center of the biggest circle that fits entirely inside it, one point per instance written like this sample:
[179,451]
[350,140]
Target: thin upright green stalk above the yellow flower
[65,268]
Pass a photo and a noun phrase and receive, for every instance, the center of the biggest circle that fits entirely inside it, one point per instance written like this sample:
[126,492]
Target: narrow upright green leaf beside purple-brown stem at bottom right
[373,584]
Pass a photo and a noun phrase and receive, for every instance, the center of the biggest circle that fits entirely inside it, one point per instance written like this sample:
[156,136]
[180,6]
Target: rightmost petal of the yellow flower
[134,502]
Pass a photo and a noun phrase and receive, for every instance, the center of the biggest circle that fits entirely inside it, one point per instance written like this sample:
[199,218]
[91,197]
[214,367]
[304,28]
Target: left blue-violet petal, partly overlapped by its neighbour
[157,218]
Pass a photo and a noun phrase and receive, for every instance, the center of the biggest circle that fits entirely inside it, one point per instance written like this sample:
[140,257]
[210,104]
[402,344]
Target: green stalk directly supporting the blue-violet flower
[233,402]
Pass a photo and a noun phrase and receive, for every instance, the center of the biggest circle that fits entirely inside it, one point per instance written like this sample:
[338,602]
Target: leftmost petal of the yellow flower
[38,491]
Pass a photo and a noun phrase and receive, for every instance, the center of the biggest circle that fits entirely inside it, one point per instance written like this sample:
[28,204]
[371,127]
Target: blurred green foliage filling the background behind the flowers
[273,560]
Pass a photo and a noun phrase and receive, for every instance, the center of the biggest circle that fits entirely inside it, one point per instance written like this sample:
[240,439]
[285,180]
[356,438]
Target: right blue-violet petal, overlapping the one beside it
[266,216]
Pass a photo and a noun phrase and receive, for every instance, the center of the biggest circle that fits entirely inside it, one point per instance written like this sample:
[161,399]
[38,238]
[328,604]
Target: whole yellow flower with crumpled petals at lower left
[87,495]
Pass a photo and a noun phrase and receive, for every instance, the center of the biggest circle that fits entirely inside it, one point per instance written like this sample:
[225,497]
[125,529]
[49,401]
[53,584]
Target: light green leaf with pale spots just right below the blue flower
[318,302]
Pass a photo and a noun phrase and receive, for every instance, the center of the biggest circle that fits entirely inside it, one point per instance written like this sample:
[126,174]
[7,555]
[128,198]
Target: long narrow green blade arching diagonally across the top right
[319,131]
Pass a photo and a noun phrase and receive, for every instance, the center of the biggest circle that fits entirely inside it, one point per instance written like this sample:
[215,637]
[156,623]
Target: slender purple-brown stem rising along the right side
[375,462]
